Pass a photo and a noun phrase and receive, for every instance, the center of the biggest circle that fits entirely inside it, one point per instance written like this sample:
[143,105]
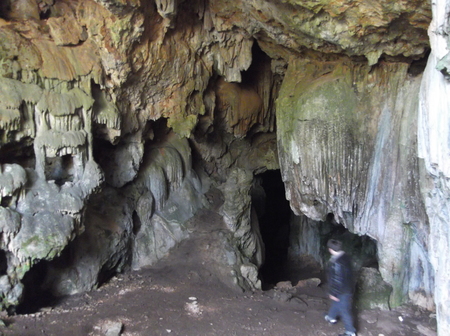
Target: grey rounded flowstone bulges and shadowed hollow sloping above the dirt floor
[134,226]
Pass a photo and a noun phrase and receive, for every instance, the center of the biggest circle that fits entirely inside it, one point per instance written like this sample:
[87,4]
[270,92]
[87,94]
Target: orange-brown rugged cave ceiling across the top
[156,59]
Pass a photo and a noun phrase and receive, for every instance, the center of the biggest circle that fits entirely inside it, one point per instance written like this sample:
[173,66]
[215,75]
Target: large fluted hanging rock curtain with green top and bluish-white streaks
[348,146]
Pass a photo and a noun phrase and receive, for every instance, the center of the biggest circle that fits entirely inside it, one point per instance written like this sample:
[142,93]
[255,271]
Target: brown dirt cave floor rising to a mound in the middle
[181,297]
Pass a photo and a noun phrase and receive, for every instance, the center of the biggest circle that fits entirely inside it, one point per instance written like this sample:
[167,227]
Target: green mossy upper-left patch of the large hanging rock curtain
[319,97]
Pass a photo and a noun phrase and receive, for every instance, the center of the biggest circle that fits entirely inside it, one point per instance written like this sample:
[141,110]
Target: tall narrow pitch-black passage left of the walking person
[274,214]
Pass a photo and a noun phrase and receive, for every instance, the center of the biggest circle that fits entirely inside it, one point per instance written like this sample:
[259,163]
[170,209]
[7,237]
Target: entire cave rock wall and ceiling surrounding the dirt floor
[117,116]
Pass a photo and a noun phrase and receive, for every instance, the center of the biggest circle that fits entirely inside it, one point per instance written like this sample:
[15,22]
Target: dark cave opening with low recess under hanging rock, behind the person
[295,246]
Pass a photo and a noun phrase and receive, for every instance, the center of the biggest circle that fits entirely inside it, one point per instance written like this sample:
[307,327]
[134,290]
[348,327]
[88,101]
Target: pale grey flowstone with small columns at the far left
[42,208]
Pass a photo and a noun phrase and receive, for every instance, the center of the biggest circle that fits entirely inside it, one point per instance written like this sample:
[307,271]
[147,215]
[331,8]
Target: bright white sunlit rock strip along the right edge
[434,148]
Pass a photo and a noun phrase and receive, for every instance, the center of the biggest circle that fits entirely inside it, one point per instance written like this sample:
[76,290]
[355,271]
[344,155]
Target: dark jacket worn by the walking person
[340,275]
